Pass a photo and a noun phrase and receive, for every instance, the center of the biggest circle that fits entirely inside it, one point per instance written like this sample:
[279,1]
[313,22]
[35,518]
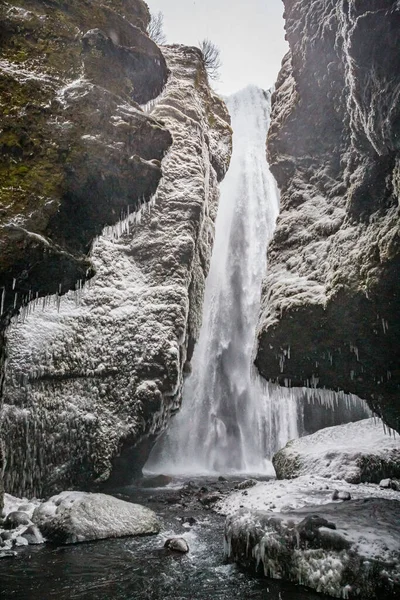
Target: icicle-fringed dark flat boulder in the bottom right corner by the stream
[344,550]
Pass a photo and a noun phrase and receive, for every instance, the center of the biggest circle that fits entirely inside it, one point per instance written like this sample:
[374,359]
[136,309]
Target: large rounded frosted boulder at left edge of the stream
[72,517]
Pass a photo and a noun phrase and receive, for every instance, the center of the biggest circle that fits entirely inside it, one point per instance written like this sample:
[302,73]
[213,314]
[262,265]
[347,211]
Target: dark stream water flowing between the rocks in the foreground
[140,568]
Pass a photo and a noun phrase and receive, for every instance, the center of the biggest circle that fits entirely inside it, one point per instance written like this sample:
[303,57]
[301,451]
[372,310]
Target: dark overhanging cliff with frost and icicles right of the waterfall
[331,301]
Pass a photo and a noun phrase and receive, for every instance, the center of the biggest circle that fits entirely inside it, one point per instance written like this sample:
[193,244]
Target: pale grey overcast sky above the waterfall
[249,33]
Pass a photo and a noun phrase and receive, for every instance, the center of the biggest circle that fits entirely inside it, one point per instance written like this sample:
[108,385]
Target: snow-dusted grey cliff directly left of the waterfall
[91,383]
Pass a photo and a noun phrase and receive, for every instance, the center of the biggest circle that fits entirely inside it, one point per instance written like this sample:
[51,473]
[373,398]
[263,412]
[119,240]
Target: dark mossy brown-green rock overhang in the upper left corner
[76,149]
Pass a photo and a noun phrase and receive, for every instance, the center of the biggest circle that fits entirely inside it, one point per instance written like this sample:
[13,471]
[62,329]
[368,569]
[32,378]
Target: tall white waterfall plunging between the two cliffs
[230,421]
